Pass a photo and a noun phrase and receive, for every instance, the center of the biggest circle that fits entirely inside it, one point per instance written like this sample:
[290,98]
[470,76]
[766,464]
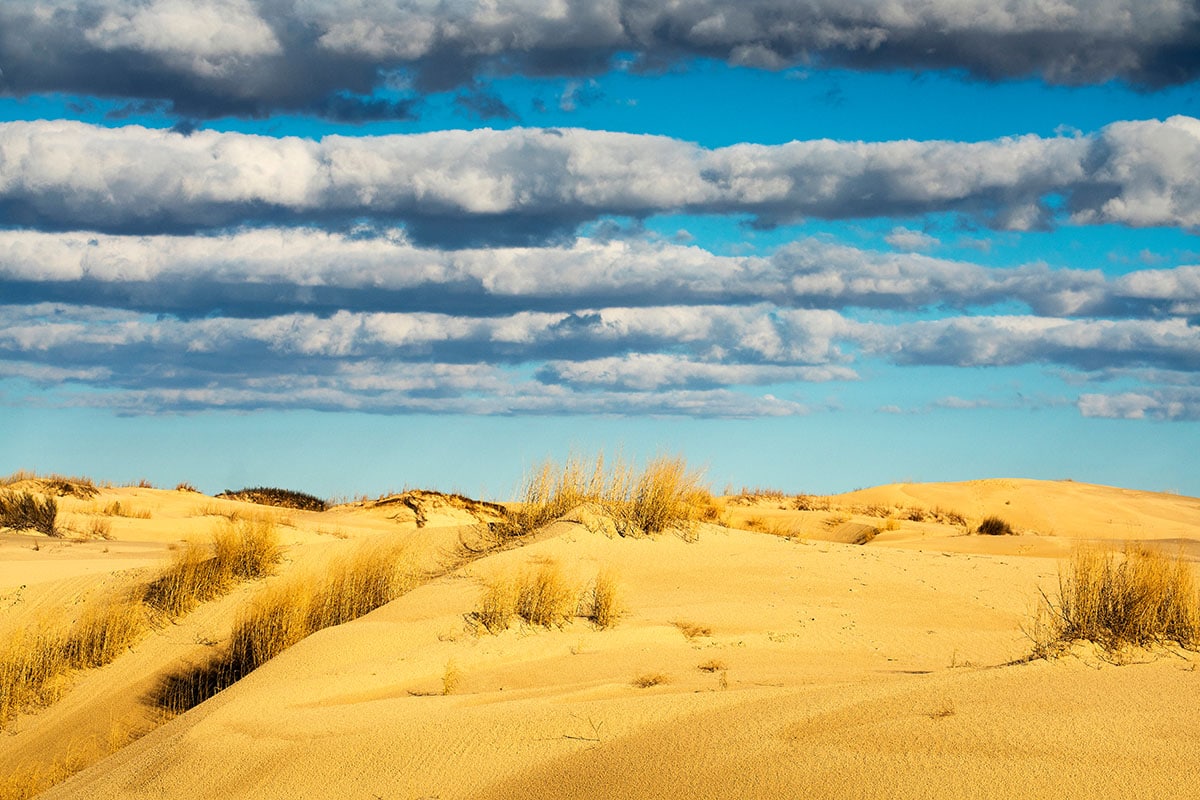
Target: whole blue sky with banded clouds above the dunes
[355,246]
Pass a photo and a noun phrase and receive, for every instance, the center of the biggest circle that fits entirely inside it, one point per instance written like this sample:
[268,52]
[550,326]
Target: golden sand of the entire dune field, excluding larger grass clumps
[765,654]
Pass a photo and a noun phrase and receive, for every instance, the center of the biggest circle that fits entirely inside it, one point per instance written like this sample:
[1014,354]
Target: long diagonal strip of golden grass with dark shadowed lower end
[287,612]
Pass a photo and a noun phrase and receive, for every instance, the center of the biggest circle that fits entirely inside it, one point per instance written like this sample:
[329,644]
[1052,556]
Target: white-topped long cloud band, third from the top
[269,272]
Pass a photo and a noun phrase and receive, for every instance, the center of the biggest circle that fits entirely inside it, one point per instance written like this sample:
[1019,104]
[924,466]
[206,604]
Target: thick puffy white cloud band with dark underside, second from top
[464,188]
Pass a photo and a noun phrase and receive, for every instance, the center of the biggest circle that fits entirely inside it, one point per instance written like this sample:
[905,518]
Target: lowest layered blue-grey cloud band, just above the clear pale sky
[705,360]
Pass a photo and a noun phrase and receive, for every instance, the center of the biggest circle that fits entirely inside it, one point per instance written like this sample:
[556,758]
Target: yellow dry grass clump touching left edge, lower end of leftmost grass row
[35,661]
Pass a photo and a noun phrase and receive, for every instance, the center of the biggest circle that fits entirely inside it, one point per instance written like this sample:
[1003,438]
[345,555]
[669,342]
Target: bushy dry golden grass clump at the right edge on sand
[1138,598]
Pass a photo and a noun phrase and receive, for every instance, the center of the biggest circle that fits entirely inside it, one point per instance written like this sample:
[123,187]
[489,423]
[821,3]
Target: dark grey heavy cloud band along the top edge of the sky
[251,57]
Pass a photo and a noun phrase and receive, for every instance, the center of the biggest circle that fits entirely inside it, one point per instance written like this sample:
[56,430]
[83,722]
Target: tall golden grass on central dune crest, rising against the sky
[664,496]
